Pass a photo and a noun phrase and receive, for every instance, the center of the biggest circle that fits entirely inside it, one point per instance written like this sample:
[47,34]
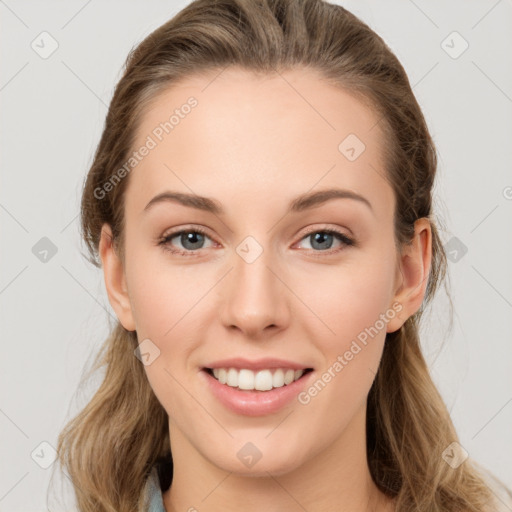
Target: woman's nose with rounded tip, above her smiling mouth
[255,300]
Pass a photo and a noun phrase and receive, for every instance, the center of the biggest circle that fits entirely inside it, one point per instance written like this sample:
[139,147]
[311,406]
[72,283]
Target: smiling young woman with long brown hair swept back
[261,205]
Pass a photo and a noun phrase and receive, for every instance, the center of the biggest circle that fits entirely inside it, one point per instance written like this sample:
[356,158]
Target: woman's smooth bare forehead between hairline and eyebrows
[273,134]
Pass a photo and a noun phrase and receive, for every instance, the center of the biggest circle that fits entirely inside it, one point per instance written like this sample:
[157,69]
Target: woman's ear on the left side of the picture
[115,279]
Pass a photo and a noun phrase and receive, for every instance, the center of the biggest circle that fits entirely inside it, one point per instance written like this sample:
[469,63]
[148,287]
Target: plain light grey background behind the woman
[54,313]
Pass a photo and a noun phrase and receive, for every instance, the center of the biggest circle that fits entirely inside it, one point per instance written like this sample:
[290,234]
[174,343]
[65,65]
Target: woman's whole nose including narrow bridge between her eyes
[255,299]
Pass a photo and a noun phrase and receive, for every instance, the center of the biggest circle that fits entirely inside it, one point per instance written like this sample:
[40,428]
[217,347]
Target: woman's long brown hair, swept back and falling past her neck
[110,447]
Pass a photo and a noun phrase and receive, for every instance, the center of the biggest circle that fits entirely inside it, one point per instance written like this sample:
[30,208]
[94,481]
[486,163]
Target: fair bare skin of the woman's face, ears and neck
[254,144]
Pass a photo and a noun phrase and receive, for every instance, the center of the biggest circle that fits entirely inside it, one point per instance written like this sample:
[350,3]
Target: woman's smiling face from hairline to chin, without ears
[265,286]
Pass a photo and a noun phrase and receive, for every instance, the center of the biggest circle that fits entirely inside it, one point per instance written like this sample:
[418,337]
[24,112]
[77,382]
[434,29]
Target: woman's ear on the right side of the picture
[412,274]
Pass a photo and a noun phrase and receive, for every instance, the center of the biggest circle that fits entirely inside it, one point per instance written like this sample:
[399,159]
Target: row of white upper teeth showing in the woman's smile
[263,380]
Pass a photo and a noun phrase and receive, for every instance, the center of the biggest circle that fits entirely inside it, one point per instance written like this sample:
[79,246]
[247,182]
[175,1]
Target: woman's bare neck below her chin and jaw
[336,478]
